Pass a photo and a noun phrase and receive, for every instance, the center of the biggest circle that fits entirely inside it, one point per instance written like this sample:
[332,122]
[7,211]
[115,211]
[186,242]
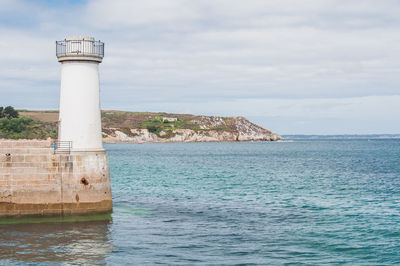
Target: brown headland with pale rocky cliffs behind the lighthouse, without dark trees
[135,127]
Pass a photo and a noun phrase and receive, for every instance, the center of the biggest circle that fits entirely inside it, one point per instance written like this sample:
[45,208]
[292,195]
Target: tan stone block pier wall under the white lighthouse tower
[36,181]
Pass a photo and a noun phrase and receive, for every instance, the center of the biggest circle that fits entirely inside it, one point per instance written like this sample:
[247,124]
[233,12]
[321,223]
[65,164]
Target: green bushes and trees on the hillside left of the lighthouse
[14,126]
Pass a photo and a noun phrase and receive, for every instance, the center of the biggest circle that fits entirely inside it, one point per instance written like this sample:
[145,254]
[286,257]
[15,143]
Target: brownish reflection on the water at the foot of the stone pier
[81,242]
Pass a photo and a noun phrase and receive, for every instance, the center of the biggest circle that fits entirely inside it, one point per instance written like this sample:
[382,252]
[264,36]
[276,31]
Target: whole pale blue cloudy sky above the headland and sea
[291,66]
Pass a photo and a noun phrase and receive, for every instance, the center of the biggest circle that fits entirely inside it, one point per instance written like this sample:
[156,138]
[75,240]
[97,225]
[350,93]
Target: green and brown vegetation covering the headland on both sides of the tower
[43,124]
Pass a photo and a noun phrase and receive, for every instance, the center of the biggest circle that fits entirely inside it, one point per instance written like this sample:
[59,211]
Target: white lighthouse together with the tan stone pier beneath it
[43,177]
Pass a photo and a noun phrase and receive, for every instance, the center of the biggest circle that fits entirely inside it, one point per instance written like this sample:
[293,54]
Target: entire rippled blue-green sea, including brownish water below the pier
[263,203]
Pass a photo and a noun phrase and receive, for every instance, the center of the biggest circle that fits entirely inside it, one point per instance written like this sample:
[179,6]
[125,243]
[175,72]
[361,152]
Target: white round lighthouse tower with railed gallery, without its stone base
[80,115]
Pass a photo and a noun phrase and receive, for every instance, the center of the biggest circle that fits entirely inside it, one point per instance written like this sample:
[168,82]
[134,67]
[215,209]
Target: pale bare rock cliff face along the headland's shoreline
[208,129]
